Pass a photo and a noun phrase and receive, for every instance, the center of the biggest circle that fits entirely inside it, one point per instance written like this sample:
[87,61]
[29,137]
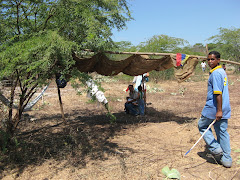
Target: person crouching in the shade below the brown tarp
[131,104]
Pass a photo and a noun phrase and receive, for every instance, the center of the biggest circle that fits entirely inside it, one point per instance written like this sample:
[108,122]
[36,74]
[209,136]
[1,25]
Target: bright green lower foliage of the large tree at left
[38,58]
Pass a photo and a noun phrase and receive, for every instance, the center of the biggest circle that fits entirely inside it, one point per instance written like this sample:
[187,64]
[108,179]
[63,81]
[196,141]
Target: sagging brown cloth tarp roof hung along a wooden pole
[138,63]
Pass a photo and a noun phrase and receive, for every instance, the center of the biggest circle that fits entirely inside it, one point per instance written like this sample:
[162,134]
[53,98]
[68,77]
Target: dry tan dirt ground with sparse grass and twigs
[89,147]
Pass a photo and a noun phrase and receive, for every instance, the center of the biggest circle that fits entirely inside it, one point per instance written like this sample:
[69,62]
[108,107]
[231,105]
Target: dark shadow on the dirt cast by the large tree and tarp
[85,136]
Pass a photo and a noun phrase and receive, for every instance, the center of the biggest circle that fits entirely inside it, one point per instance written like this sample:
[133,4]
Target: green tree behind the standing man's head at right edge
[228,43]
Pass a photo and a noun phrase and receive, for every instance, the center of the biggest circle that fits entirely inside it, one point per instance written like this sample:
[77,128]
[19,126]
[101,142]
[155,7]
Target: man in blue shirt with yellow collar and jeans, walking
[217,107]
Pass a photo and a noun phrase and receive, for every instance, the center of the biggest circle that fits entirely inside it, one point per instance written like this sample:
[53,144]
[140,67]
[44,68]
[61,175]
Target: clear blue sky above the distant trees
[191,20]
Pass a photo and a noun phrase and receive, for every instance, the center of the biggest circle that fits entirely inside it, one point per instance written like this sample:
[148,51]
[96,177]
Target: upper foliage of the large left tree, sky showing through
[87,21]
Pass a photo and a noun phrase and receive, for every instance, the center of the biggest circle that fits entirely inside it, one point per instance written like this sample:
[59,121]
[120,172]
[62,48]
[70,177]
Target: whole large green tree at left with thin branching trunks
[38,38]
